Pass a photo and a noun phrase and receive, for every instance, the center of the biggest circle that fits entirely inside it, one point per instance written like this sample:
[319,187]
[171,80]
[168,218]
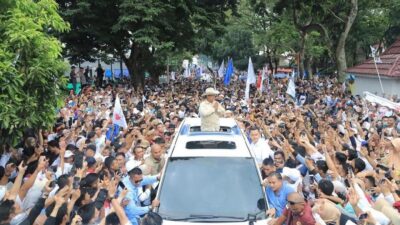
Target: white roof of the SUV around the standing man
[232,134]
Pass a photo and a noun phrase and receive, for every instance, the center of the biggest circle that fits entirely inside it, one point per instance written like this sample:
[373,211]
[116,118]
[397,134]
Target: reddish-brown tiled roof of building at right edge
[389,67]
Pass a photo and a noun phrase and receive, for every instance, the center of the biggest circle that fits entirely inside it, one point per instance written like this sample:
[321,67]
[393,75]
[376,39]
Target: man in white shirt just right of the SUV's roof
[259,146]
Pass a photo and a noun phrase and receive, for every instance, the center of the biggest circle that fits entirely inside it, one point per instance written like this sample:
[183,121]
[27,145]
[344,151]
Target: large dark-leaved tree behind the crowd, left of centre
[140,32]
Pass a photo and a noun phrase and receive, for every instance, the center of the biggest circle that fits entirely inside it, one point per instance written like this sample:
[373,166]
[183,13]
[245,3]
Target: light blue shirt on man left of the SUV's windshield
[134,210]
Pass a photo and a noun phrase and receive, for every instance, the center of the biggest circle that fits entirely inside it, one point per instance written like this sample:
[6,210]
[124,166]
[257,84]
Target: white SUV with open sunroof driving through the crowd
[211,177]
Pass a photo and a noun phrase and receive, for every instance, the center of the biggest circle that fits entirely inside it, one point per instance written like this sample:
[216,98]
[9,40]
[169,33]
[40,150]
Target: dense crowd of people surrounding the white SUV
[326,156]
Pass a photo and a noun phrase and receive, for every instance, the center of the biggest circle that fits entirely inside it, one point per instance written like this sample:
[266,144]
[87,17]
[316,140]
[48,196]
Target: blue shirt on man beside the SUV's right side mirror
[278,200]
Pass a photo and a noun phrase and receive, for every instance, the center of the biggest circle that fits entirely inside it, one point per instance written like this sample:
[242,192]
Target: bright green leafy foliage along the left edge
[31,67]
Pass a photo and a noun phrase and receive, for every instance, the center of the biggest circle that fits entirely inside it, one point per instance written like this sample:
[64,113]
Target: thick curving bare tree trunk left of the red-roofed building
[340,48]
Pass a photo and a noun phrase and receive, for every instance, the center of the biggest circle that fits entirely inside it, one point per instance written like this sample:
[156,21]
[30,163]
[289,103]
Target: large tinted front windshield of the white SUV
[211,189]
